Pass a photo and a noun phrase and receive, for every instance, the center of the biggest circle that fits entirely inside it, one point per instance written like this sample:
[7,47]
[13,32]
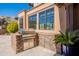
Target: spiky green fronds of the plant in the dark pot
[67,38]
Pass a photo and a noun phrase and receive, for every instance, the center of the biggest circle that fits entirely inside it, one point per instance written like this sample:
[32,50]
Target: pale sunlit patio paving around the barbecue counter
[6,50]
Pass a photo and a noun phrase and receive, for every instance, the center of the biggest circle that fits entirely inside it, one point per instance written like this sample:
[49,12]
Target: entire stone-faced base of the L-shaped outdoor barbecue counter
[44,40]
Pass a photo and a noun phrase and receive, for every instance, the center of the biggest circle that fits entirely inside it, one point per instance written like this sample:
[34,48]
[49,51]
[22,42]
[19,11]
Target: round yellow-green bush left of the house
[12,27]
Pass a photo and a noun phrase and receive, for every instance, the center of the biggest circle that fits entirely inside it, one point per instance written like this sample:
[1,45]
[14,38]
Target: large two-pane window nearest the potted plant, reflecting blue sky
[46,19]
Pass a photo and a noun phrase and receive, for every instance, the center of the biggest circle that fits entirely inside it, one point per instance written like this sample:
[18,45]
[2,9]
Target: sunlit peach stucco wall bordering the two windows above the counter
[39,9]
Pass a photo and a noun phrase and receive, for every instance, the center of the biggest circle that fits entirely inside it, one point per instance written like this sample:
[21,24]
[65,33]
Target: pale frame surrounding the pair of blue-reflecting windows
[37,20]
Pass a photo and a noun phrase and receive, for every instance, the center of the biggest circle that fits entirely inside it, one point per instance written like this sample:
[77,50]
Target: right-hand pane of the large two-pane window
[50,18]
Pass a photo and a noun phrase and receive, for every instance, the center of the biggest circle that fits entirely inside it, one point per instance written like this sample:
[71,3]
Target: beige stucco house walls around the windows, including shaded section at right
[63,17]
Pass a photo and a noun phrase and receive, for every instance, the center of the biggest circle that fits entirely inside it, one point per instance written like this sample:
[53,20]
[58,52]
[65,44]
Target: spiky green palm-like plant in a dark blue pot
[67,41]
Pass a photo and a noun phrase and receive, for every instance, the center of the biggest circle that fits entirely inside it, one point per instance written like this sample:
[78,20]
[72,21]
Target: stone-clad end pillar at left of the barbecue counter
[17,42]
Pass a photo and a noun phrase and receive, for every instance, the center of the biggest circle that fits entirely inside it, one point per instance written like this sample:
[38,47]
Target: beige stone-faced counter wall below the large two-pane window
[46,41]
